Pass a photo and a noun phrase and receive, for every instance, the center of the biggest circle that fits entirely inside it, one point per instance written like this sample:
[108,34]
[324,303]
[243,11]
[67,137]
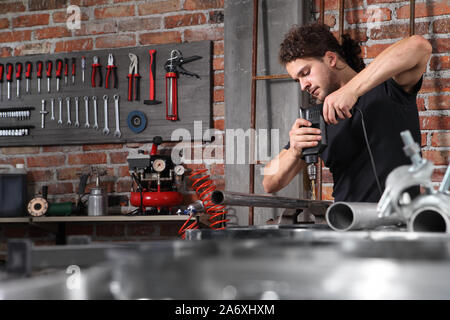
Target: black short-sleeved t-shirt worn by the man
[387,110]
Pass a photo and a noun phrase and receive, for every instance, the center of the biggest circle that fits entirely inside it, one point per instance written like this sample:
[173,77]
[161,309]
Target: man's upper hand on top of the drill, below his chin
[339,103]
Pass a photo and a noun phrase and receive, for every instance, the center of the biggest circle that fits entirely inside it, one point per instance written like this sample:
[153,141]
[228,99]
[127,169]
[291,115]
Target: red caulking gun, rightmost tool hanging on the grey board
[173,67]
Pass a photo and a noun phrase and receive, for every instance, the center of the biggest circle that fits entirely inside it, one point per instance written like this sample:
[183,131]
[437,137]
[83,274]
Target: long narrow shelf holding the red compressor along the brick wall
[117,218]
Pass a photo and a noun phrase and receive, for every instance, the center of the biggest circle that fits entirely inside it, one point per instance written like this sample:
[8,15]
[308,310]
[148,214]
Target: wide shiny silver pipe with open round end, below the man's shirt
[345,216]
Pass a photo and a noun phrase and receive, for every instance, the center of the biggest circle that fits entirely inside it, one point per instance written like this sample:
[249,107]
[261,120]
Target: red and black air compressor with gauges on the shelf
[156,179]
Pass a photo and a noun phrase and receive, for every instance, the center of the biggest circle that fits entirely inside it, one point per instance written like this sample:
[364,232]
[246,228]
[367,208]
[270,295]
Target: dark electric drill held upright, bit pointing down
[311,155]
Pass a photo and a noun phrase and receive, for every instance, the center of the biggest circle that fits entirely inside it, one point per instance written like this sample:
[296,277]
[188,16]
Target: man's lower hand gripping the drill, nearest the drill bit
[301,136]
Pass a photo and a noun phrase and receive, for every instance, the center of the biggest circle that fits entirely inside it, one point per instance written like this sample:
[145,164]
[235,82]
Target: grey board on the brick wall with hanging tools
[194,97]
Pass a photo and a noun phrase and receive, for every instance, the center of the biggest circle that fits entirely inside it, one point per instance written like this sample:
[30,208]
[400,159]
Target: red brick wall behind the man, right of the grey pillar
[379,23]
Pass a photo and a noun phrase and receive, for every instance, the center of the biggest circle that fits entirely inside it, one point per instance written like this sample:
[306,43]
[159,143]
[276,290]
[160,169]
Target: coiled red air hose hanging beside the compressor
[204,188]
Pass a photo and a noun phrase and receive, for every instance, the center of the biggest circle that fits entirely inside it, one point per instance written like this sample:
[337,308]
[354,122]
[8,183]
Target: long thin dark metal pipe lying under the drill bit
[266,201]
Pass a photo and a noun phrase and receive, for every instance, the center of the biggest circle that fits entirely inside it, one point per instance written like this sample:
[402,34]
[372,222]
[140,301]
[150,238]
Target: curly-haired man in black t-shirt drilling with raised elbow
[379,99]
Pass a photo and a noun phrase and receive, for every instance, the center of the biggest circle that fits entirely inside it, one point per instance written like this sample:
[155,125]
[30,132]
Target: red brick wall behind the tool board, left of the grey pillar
[39,27]
